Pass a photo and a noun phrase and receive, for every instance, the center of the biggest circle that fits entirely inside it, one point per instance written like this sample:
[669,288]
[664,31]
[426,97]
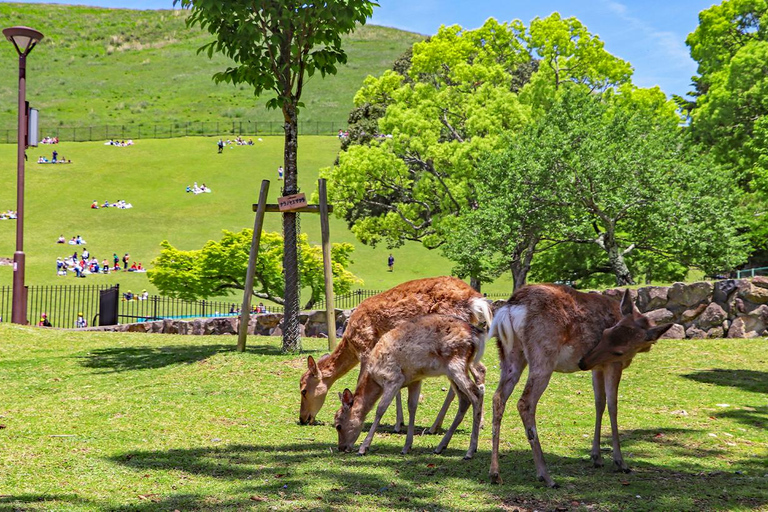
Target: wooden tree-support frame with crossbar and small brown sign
[294,203]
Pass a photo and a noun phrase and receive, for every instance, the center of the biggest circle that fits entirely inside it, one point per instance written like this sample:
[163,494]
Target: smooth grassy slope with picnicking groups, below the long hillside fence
[152,175]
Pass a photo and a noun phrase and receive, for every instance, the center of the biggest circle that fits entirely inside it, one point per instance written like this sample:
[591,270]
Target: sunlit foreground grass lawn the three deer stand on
[105,421]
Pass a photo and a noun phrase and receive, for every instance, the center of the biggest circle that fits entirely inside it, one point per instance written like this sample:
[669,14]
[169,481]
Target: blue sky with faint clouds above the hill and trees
[650,34]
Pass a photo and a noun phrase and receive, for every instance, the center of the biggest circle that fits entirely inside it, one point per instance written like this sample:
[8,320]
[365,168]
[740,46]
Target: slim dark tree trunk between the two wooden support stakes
[291,327]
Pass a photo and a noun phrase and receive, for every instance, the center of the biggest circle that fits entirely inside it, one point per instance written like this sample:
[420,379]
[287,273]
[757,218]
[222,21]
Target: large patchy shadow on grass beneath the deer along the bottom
[315,476]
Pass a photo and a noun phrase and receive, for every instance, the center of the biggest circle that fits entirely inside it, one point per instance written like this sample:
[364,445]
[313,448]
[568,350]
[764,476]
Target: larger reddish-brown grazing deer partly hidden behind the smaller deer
[379,314]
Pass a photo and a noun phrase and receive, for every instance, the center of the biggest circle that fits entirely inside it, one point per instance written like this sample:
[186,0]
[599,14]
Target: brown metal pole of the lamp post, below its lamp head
[19,311]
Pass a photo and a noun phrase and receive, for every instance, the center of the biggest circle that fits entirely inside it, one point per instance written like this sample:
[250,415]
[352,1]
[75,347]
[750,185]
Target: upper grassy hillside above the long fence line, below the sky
[117,66]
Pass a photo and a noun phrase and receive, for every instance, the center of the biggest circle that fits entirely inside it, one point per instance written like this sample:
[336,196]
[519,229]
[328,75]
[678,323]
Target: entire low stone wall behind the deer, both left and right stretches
[733,308]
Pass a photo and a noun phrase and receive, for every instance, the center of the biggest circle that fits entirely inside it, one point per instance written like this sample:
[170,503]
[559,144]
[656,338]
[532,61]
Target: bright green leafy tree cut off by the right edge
[730,111]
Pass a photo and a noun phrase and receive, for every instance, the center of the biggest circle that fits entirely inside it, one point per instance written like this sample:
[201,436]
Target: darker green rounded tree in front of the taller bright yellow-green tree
[621,181]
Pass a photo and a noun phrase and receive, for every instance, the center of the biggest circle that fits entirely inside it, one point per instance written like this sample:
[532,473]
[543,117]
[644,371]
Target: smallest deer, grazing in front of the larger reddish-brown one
[429,346]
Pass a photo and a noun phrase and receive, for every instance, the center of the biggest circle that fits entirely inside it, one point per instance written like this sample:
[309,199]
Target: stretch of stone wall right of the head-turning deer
[733,308]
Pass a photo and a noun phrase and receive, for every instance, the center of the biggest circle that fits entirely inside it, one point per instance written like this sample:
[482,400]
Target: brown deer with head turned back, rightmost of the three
[553,328]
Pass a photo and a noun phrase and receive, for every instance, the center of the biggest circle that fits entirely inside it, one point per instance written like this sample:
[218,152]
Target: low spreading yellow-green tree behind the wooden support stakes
[219,268]
